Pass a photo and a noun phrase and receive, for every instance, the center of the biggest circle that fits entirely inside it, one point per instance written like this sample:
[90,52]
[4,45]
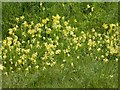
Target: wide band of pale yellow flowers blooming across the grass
[49,42]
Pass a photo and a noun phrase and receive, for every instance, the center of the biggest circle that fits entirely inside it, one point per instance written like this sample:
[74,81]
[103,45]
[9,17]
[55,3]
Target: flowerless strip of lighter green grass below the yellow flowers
[92,74]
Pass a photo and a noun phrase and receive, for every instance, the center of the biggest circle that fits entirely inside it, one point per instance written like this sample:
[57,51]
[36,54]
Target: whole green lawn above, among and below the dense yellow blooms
[87,71]
